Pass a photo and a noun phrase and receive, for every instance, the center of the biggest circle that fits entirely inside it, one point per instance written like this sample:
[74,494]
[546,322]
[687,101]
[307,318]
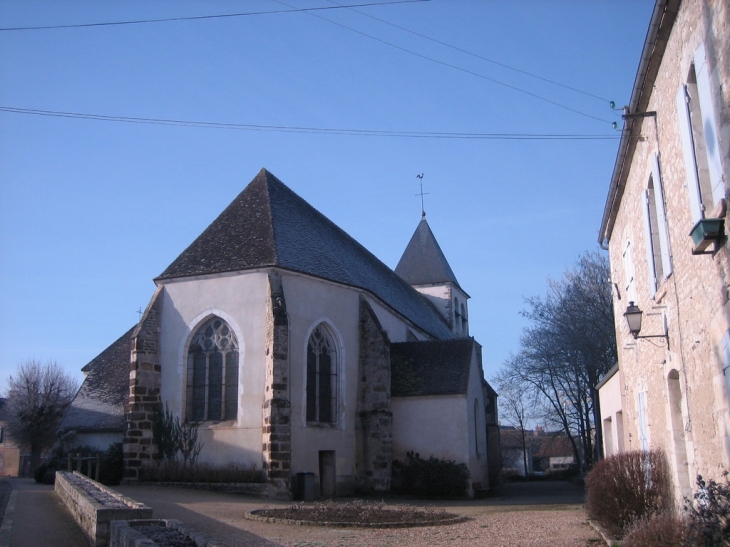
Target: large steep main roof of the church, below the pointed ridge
[269,225]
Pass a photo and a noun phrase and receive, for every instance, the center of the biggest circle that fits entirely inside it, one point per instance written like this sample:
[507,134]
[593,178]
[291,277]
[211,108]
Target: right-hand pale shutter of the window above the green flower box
[704,90]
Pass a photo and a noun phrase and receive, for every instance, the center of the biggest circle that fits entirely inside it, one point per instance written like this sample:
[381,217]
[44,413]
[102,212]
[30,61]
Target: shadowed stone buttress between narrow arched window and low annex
[374,422]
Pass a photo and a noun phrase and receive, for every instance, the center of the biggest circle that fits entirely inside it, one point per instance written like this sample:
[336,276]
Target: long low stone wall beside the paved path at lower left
[94,506]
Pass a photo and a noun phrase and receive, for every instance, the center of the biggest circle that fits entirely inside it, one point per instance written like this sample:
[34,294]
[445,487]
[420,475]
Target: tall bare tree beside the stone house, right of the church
[568,347]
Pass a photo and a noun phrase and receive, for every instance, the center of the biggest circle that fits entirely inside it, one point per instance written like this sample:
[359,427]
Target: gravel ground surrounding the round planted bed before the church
[539,514]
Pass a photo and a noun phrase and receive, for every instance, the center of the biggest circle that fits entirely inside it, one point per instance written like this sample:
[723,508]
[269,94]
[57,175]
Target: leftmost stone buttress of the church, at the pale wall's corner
[144,390]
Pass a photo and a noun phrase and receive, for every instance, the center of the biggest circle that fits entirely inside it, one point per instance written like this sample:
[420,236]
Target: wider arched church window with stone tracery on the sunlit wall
[212,384]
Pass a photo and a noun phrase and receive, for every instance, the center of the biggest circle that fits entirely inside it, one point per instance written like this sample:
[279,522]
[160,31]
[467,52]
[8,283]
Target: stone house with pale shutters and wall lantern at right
[664,228]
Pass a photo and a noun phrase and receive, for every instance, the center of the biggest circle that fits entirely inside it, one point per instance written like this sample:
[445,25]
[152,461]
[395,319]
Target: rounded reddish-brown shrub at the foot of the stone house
[628,487]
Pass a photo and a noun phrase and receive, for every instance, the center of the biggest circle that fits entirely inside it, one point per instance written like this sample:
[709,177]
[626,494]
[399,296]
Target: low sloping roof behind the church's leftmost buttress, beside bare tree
[99,403]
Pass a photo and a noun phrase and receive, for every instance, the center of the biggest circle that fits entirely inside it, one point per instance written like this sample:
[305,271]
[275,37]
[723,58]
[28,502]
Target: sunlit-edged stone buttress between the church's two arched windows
[277,405]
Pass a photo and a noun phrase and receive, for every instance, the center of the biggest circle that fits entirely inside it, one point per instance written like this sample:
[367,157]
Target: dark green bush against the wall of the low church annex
[431,478]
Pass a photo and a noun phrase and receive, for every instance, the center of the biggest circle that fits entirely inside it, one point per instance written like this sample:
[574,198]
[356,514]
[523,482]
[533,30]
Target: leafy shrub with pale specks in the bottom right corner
[709,513]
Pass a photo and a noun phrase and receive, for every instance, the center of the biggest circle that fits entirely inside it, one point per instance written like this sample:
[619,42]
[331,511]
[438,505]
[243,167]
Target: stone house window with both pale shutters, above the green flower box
[700,147]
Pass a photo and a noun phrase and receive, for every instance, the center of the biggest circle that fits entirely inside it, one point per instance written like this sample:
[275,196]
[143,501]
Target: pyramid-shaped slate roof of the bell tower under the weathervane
[423,262]
